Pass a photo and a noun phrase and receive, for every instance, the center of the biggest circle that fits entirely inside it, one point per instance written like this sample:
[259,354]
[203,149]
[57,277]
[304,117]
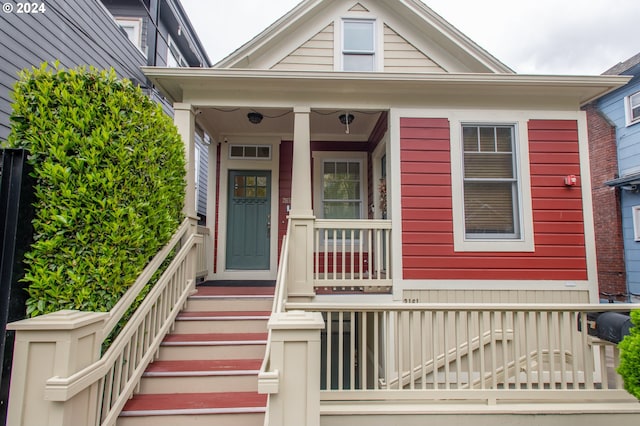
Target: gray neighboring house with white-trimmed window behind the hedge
[123,34]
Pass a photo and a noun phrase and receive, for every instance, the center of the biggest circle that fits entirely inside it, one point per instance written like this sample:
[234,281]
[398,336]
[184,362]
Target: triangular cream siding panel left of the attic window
[314,55]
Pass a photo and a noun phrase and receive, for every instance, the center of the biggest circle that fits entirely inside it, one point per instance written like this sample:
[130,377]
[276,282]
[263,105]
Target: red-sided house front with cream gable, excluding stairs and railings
[486,171]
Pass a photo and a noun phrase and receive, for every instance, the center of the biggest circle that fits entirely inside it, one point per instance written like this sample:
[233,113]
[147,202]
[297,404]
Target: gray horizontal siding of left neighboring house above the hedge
[74,32]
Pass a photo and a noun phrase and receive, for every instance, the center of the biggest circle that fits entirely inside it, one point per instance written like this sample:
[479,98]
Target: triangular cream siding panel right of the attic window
[401,56]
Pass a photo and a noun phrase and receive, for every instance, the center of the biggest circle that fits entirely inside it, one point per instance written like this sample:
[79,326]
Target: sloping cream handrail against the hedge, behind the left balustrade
[117,312]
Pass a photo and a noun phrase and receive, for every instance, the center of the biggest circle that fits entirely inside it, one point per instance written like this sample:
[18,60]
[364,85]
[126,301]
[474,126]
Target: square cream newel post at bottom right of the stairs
[294,399]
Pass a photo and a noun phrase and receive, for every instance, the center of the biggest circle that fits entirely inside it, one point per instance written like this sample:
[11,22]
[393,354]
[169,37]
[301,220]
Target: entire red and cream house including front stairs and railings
[425,213]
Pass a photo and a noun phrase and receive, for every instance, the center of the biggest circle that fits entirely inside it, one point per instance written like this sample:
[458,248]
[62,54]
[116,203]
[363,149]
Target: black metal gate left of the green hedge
[16,234]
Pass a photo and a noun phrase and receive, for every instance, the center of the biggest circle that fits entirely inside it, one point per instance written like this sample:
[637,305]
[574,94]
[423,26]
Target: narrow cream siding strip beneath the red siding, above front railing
[495,296]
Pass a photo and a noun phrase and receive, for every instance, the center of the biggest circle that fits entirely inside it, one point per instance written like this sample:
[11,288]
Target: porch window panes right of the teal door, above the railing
[342,189]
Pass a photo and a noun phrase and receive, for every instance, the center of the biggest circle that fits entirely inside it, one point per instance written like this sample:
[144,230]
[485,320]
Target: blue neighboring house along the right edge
[621,109]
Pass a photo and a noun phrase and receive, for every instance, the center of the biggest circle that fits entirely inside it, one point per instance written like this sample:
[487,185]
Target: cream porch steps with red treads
[207,368]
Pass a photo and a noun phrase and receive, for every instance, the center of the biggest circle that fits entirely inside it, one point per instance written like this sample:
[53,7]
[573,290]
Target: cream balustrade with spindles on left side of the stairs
[117,373]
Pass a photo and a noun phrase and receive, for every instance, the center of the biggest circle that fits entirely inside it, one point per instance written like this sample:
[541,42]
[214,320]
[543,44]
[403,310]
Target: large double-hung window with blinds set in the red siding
[490,185]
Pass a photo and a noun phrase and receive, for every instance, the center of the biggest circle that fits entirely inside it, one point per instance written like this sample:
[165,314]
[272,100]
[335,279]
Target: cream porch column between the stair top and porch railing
[300,273]
